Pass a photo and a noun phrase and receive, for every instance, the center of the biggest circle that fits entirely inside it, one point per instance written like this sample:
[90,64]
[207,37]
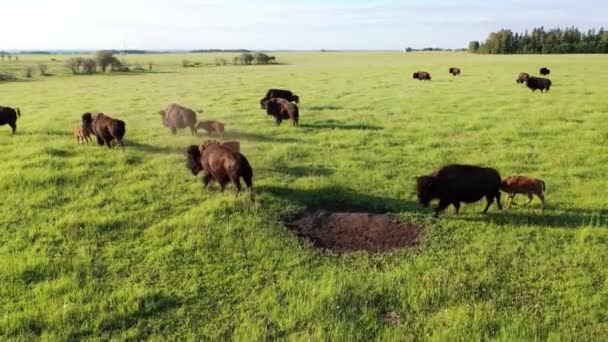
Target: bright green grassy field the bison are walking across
[98,243]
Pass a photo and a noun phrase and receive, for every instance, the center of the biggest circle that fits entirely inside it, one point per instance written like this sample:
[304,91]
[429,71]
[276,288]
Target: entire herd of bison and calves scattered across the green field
[223,163]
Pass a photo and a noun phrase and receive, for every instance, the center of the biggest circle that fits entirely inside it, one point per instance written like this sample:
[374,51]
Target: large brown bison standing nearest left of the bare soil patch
[219,163]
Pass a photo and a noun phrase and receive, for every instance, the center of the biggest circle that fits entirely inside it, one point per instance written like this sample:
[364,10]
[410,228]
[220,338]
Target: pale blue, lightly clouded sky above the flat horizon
[279,25]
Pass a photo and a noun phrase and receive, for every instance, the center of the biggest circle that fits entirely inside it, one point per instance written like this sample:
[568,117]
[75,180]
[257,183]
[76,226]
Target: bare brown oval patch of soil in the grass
[349,231]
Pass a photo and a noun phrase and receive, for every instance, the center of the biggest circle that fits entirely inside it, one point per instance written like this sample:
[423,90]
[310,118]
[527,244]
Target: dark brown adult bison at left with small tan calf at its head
[104,128]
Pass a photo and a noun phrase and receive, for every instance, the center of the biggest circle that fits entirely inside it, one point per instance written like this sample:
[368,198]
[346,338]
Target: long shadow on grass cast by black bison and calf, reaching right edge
[569,218]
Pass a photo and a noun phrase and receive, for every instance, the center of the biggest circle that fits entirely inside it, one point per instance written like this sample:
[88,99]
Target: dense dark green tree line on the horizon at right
[541,41]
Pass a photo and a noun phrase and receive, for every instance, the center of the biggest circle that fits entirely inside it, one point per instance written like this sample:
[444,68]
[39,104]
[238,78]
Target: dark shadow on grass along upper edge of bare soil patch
[339,199]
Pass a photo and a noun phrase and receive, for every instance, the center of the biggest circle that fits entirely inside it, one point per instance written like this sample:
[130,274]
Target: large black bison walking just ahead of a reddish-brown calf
[454,183]
